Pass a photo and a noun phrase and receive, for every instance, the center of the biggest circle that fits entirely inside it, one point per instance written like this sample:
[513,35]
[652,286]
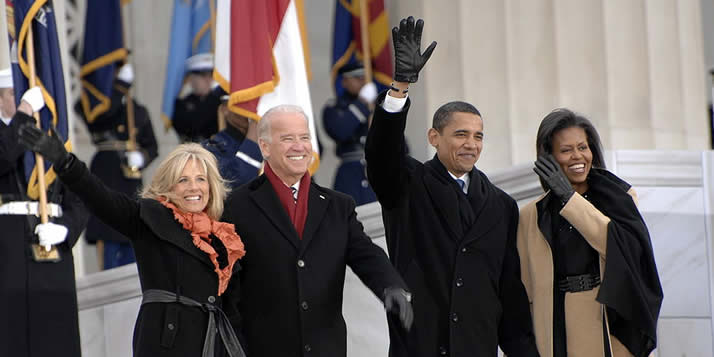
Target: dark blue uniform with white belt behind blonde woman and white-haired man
[239,159]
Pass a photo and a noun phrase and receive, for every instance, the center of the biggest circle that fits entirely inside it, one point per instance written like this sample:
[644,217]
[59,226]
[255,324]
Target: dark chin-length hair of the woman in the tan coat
[563,118]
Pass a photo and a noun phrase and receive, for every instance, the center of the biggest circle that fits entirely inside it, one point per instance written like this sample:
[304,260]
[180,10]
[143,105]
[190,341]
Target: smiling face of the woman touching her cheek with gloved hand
[572,152]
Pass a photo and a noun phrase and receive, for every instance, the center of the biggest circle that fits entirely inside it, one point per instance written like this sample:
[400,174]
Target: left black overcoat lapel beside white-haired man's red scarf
[267,201]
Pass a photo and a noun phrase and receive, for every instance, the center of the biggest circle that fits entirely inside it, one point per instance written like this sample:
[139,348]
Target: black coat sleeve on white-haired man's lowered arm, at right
[367,260]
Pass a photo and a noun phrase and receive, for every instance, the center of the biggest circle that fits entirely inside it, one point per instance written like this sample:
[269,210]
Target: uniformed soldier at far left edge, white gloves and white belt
[38,299]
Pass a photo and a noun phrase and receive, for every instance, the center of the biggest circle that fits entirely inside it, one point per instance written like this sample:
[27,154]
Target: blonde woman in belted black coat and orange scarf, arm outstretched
[184,255]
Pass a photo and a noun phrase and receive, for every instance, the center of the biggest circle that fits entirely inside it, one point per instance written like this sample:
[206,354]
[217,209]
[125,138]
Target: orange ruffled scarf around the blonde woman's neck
[201,226]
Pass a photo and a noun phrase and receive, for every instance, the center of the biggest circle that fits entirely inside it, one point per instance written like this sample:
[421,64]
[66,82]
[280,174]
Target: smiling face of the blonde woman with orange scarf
[192,191]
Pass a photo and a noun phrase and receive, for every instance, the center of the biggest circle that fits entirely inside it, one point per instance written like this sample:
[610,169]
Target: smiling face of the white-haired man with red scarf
[289,150]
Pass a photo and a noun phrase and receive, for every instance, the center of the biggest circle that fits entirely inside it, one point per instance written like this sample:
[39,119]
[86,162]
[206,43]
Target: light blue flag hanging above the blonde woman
[190,35]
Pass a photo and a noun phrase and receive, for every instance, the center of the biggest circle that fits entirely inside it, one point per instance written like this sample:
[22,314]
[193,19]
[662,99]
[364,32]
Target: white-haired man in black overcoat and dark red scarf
[299,239]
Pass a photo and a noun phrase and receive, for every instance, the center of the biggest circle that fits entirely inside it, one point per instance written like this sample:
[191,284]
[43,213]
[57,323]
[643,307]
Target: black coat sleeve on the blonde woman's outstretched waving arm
[114,208]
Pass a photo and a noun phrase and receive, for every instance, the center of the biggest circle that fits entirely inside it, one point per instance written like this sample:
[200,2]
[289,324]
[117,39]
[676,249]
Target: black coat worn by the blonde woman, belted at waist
[166,259]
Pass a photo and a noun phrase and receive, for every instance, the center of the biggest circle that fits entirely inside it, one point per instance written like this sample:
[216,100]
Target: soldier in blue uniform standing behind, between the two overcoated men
[346,121]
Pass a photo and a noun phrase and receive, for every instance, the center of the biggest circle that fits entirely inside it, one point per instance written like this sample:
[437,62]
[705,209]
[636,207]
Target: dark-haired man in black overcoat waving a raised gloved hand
[450,233]
